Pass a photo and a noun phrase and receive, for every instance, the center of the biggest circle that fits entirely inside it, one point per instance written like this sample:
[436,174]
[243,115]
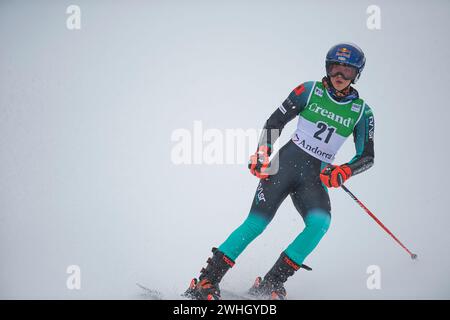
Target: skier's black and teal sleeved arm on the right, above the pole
[363,135]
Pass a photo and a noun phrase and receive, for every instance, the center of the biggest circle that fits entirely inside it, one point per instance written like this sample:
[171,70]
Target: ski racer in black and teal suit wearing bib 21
[329,111]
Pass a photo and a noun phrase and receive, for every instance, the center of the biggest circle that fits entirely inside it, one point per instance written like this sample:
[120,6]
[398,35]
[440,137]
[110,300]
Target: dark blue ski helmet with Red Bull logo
[347,54]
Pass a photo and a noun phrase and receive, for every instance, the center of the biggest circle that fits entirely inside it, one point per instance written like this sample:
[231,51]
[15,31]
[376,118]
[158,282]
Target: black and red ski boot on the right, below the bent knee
[271,287]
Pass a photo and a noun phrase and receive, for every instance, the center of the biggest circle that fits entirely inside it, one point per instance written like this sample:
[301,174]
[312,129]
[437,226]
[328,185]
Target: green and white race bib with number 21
[324,124]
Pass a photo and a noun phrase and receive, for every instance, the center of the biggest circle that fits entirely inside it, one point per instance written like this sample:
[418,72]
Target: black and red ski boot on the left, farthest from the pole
[207,286]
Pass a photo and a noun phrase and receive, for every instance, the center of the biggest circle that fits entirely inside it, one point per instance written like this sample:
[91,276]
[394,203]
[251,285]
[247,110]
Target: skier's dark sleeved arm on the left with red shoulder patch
[289,109]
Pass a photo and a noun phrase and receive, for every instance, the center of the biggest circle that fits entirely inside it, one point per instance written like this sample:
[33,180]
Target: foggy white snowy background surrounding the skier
[86,118]
